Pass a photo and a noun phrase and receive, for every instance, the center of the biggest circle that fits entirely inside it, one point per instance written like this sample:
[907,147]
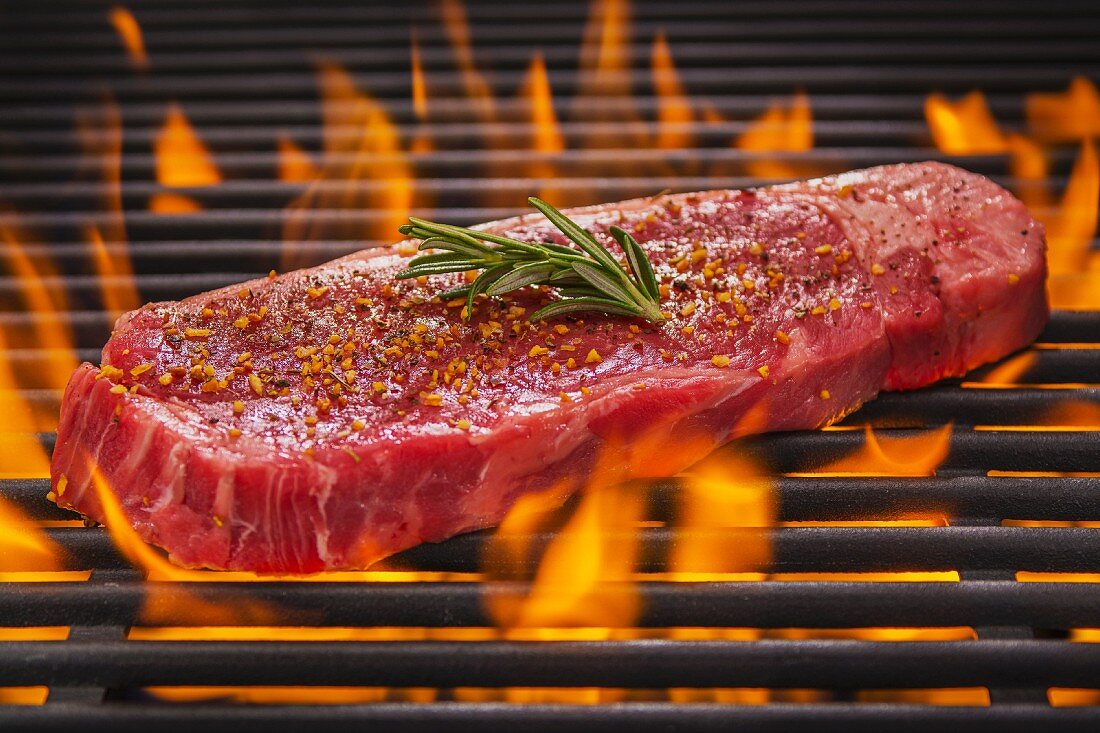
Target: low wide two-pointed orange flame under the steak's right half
[920,455]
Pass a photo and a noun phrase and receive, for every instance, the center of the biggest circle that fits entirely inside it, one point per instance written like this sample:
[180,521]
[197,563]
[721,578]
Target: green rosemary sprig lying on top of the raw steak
[590,279]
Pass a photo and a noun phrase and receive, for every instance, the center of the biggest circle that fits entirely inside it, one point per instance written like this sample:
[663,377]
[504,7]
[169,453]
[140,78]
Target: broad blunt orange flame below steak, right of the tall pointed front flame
[724,493]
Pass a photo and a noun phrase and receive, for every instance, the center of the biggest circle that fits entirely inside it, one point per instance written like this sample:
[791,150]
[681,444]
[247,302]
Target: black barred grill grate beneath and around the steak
[993,608]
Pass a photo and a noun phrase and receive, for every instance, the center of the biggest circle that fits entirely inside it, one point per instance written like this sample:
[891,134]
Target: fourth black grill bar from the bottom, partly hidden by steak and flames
[798,550]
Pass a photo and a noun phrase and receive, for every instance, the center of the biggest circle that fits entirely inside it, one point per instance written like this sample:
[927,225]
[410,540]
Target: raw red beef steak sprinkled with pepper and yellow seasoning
[329,418]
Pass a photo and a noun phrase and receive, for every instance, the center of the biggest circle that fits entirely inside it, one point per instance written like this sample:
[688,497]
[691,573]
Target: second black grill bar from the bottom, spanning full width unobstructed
[635,664]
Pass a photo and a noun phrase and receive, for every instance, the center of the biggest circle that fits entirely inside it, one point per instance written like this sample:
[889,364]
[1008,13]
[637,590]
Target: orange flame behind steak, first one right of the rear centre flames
[779,130]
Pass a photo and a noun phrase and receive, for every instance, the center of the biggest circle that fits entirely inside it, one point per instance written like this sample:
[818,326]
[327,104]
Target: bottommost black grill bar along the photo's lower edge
[636,718]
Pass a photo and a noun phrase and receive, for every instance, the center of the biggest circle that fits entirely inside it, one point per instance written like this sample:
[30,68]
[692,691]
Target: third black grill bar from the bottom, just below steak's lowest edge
[773,605]
